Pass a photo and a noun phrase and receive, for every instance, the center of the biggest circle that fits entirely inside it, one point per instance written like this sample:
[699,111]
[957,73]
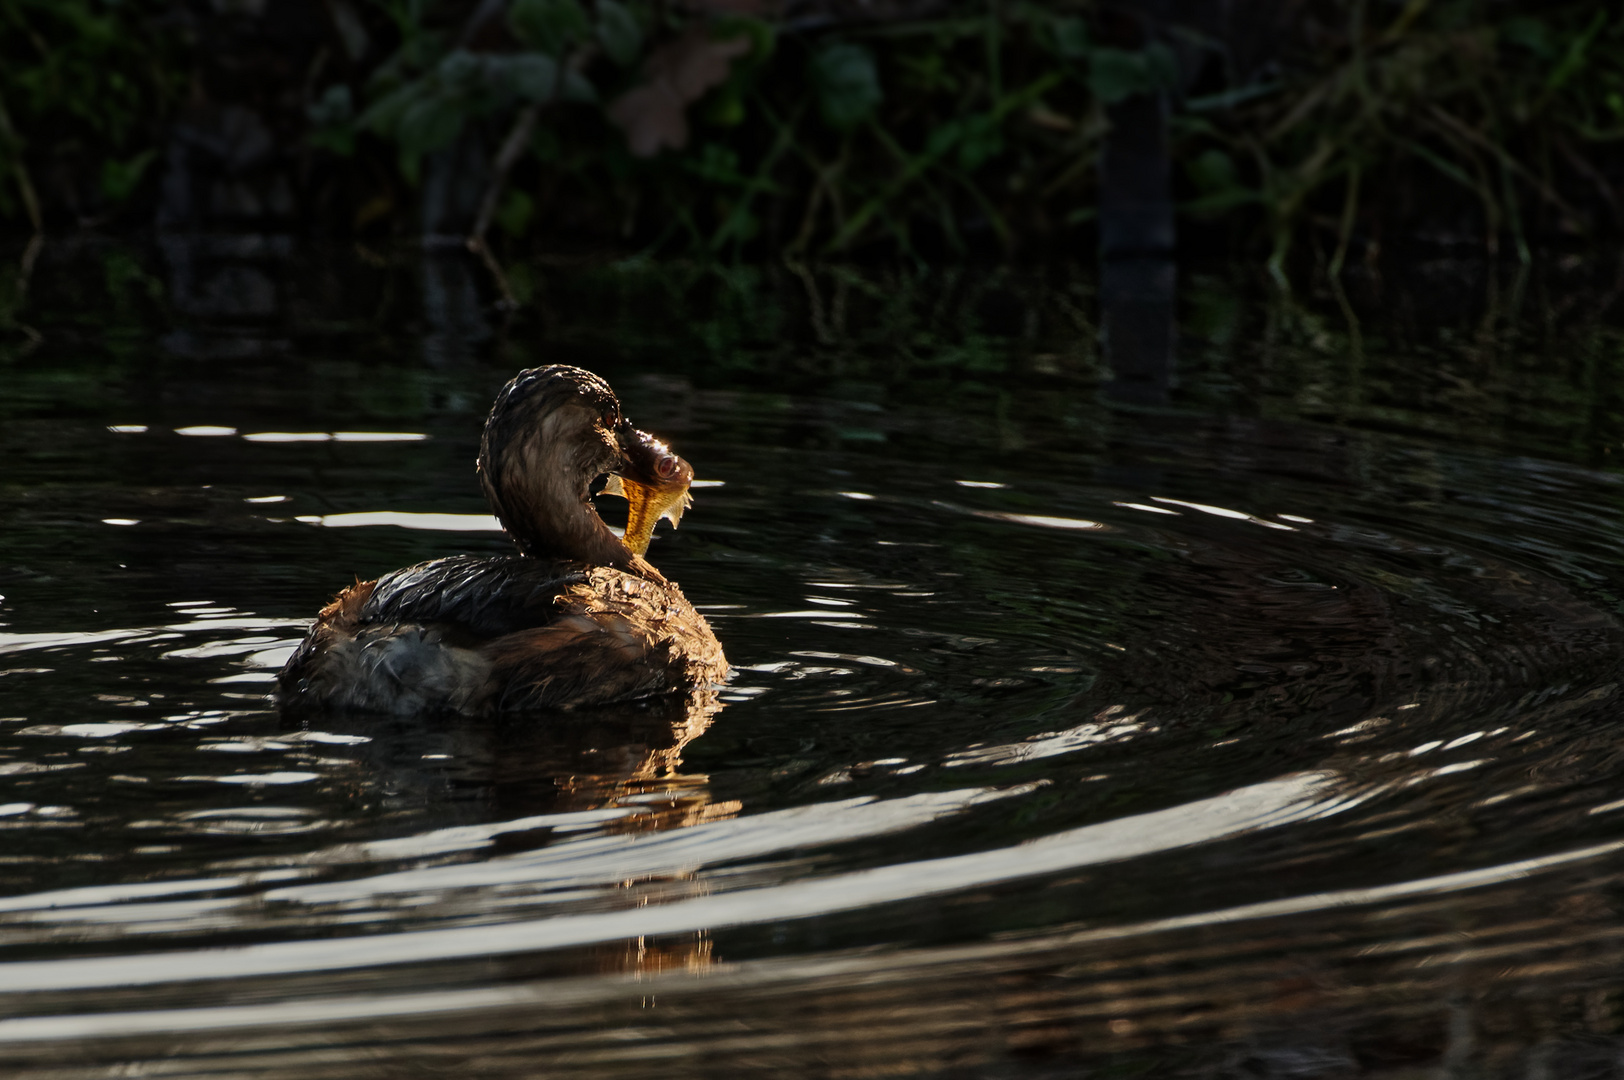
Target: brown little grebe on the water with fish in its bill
[577,618]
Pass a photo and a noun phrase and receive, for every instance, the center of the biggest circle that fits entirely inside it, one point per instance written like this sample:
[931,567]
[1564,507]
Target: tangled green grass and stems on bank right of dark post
[1513,113]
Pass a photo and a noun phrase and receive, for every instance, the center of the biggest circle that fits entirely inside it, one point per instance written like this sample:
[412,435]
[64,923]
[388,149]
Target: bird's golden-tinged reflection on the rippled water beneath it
[491,797]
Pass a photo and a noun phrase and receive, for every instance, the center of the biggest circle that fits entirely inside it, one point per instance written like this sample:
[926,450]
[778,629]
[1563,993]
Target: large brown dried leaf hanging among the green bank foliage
[676,76]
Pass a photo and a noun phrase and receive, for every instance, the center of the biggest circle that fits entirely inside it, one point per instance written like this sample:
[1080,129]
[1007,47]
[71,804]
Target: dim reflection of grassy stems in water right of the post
[1529,363]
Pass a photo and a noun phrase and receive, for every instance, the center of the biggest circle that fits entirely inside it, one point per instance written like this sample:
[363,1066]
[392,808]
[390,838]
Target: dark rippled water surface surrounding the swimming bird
[1271,732]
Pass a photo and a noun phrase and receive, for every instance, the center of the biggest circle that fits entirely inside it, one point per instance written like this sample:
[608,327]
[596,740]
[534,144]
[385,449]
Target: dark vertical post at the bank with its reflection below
[1138,275]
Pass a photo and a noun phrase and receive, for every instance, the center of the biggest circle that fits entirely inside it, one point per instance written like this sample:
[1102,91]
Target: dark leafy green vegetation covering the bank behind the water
[827,127]
